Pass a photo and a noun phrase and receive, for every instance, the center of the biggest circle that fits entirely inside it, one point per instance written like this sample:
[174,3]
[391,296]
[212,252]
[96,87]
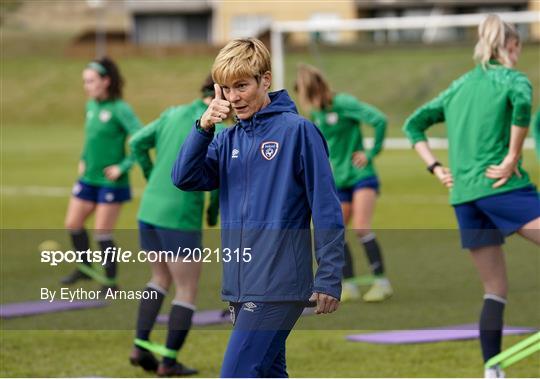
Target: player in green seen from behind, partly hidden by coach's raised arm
[169,220]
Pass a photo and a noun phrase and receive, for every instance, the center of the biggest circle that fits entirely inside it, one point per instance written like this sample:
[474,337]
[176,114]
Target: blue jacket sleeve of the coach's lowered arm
[325,212]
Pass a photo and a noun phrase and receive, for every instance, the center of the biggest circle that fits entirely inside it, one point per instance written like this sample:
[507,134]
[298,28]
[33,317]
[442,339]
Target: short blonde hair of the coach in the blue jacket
[241,58]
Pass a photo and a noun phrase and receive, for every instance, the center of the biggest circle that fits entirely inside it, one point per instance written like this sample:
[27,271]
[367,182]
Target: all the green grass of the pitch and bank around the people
[435,282]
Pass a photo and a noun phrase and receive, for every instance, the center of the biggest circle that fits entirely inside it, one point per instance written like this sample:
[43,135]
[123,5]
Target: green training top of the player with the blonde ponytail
[479,109]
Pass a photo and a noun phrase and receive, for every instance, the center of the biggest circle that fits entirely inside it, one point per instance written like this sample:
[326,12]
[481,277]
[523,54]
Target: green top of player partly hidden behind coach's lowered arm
[340,126]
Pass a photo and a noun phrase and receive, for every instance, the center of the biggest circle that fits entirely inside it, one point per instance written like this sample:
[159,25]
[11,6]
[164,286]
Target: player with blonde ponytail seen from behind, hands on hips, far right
[487,112]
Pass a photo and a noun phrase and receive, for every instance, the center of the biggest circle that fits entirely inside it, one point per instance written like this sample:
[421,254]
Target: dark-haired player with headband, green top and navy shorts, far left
[103,183]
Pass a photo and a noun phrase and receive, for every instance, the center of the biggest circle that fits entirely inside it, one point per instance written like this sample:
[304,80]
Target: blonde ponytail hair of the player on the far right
[493,35]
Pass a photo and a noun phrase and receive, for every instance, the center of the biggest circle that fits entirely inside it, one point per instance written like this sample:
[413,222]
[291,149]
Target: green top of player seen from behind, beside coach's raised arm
[162,203]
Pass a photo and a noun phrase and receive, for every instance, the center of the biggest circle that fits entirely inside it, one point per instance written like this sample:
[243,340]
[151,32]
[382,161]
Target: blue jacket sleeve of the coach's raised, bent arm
[197,166]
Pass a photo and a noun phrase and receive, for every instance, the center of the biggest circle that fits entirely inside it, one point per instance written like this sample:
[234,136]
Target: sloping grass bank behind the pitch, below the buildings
[44,86]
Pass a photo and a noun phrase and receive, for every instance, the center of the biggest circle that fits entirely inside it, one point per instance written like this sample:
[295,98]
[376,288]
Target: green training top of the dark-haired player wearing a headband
[108,124]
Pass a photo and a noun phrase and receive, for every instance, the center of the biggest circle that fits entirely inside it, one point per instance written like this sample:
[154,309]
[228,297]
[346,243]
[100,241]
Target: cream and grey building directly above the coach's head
[216,22]
